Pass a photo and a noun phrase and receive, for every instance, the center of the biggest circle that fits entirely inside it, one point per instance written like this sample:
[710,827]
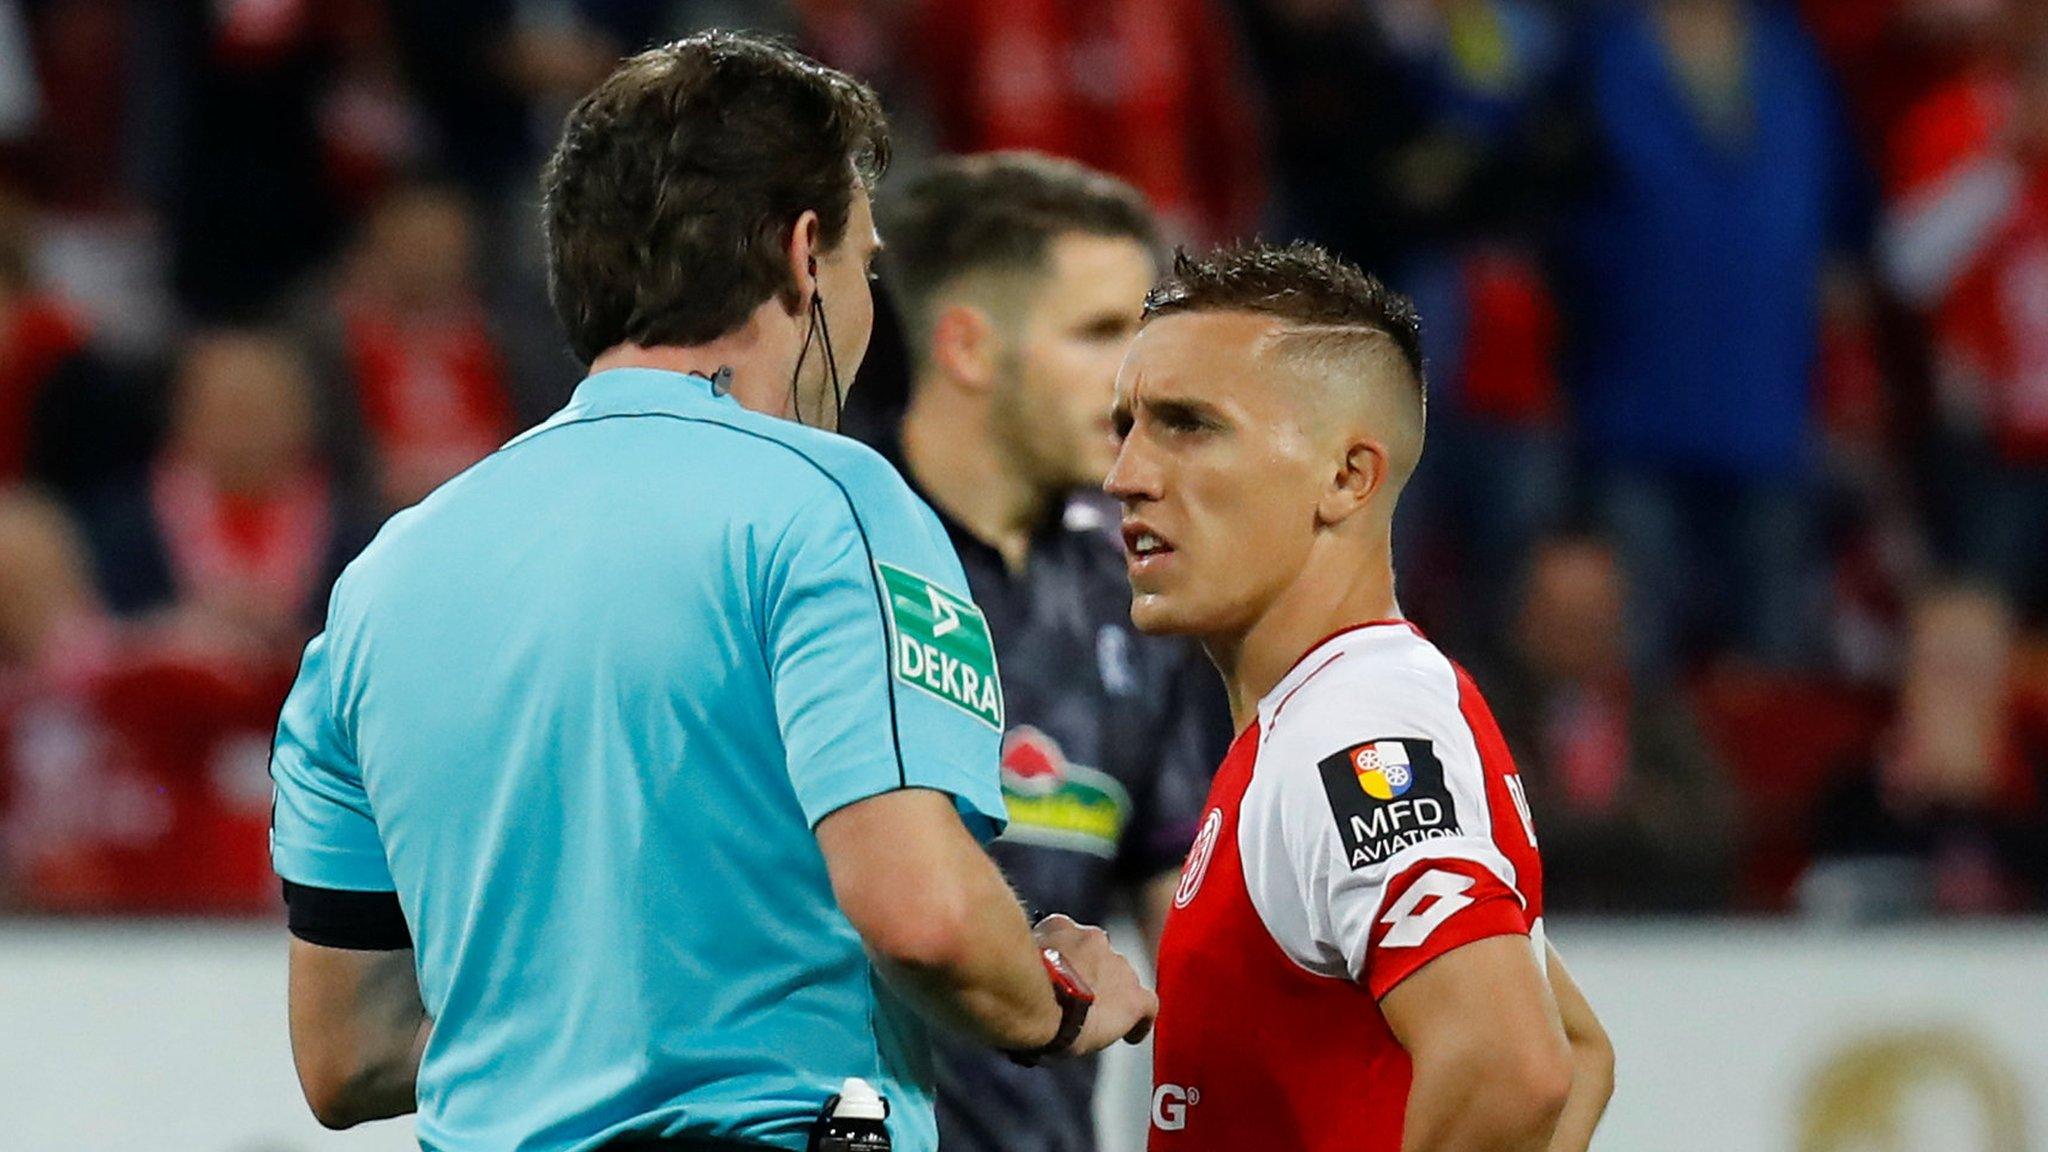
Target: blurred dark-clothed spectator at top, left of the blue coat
[1404,126]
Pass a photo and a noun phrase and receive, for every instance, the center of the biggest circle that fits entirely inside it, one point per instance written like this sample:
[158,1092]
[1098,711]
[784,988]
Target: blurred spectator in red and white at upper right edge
[1967,241]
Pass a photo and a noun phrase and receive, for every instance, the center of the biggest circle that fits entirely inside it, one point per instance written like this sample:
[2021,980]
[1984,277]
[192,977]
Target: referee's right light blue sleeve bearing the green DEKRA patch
[861,569]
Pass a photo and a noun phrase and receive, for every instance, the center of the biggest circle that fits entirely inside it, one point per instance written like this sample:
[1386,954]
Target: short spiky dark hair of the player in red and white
[1338,319]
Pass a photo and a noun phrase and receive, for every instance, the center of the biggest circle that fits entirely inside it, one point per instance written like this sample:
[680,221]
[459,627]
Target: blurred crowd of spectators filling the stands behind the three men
[1738,323]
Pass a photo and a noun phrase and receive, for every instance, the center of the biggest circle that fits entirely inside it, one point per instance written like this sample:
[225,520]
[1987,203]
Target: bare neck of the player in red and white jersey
[1328,598]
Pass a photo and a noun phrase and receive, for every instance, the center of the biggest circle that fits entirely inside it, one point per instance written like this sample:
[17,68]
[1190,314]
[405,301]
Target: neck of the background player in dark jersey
[970,479]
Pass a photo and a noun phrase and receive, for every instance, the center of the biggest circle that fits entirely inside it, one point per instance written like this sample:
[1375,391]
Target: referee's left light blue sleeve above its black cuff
[323,833]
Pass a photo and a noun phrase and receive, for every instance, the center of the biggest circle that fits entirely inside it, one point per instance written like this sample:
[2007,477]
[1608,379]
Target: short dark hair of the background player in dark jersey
[994,216]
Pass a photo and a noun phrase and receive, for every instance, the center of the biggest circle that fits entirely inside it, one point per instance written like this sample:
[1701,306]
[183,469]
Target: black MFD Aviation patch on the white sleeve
[1388,796]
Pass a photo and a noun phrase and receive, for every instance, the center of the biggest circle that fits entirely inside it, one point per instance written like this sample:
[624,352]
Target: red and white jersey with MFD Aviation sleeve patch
[1365,825]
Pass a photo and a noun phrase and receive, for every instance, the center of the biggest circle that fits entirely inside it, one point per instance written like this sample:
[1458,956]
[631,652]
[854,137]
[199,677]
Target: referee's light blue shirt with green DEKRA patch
[583,710]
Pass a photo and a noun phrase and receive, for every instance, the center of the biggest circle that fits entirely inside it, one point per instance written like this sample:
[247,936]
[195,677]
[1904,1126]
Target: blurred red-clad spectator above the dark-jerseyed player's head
[1142,89]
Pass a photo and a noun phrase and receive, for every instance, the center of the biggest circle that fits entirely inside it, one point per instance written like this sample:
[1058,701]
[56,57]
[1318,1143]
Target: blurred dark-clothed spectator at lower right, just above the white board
[1953,813]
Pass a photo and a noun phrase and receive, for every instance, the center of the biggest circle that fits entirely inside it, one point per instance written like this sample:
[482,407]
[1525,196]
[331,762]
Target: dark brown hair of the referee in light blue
[677,183]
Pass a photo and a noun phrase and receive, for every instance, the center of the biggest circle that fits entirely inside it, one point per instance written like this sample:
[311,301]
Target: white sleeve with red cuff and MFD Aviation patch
[1369,839]
